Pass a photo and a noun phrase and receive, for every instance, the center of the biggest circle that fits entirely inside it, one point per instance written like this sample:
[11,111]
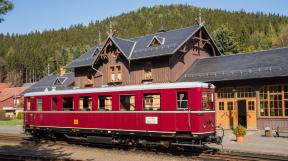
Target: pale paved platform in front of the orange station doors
[256,142]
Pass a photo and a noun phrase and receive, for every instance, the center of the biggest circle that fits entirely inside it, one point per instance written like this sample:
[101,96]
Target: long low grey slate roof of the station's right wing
[262,64]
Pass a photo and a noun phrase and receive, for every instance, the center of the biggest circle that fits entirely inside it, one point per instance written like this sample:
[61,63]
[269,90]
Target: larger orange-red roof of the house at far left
[11,92]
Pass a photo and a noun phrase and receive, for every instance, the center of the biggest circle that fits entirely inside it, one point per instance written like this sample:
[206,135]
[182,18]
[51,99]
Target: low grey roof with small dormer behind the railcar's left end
[48,82]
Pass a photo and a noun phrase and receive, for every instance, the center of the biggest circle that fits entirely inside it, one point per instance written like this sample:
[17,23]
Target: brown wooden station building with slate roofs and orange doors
[252,88]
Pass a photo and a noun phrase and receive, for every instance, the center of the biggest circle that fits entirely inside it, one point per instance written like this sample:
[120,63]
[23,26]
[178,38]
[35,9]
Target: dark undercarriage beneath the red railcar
[133,138]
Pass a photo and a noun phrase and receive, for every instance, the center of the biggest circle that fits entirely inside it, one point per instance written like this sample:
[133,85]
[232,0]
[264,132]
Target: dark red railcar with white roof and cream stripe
[173,112]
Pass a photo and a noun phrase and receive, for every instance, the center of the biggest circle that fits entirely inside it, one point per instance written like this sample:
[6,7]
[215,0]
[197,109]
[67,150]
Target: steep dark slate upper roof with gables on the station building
[138,48]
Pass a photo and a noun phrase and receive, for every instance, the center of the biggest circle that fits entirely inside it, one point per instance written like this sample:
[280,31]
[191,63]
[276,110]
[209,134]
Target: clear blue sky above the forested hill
[32,15]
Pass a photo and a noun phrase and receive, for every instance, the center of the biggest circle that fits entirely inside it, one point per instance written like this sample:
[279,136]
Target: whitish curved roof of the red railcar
[125,88]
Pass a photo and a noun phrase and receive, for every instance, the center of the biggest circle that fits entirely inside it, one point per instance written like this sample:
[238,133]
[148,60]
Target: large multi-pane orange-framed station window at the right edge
[272,99]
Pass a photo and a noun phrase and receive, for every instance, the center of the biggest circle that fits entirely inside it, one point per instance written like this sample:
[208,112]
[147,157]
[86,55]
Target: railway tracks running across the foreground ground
[194,152]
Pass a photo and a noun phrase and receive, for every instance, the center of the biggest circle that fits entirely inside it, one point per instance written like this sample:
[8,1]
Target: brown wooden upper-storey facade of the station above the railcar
[167,68]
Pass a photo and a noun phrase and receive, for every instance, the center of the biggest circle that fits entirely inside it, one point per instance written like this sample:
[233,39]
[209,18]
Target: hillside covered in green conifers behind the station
[26,58]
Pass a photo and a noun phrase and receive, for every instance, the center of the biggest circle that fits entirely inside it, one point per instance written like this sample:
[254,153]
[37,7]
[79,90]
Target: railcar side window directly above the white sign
[152,102]
